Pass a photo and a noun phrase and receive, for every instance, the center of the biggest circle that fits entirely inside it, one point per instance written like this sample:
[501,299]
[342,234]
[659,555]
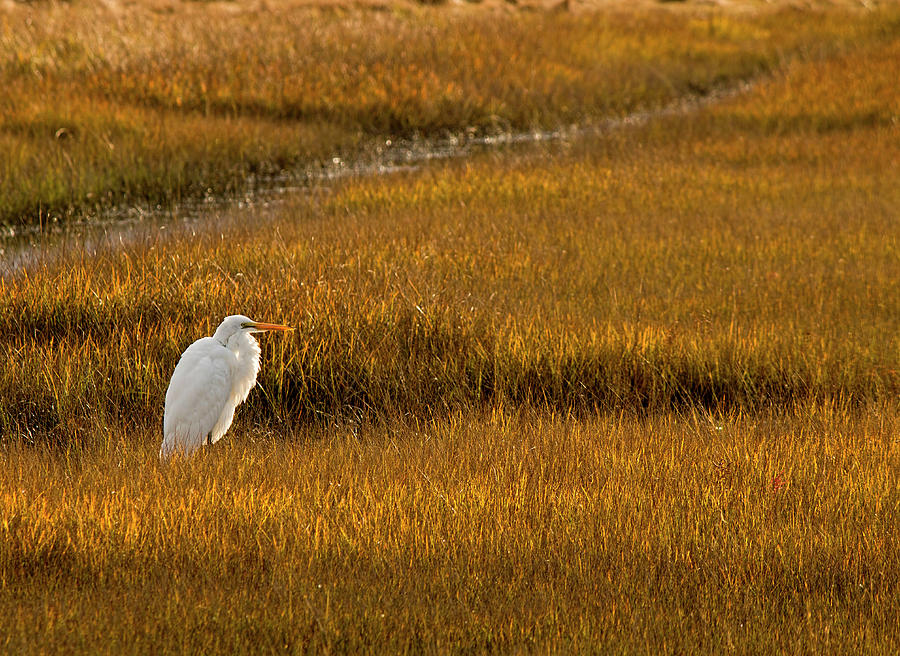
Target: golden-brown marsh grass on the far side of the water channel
[102,105]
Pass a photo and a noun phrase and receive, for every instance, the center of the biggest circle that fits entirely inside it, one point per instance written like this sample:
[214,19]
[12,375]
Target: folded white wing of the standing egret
[198,395]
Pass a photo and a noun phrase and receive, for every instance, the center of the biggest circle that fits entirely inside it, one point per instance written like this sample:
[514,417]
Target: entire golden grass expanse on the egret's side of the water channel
[632,394]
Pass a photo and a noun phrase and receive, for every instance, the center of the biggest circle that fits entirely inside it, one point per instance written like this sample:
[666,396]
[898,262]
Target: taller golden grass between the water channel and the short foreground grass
[728,267]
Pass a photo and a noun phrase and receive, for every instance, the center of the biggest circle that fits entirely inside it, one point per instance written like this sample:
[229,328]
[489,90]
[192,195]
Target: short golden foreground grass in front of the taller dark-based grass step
[523,532]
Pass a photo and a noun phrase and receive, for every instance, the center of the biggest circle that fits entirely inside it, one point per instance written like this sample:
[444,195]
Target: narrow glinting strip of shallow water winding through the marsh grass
[24,246]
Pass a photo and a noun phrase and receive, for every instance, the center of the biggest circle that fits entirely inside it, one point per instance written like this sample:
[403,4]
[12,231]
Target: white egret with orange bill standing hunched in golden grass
[214,376]
